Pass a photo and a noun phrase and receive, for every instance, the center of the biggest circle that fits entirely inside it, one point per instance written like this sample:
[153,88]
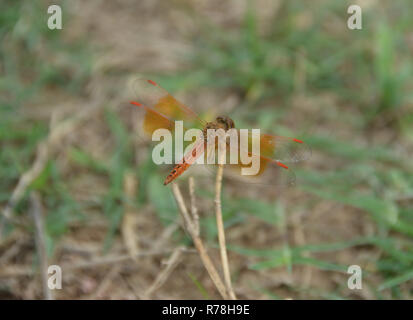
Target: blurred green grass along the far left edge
[28,71]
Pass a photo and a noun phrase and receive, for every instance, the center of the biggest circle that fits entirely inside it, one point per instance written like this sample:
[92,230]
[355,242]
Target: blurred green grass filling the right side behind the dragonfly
[369,71]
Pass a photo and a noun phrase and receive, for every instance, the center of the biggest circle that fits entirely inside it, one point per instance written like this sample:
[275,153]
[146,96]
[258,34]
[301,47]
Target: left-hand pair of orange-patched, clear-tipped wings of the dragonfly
[162,109]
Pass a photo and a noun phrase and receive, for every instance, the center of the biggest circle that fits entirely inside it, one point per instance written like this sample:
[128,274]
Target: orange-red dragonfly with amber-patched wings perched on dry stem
[161,110]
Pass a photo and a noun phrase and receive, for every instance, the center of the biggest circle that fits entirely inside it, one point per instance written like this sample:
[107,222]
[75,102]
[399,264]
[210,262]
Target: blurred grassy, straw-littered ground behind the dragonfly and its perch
[70,152]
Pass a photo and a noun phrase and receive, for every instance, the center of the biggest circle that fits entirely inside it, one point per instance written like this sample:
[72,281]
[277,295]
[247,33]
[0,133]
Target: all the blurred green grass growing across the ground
[368,72]
